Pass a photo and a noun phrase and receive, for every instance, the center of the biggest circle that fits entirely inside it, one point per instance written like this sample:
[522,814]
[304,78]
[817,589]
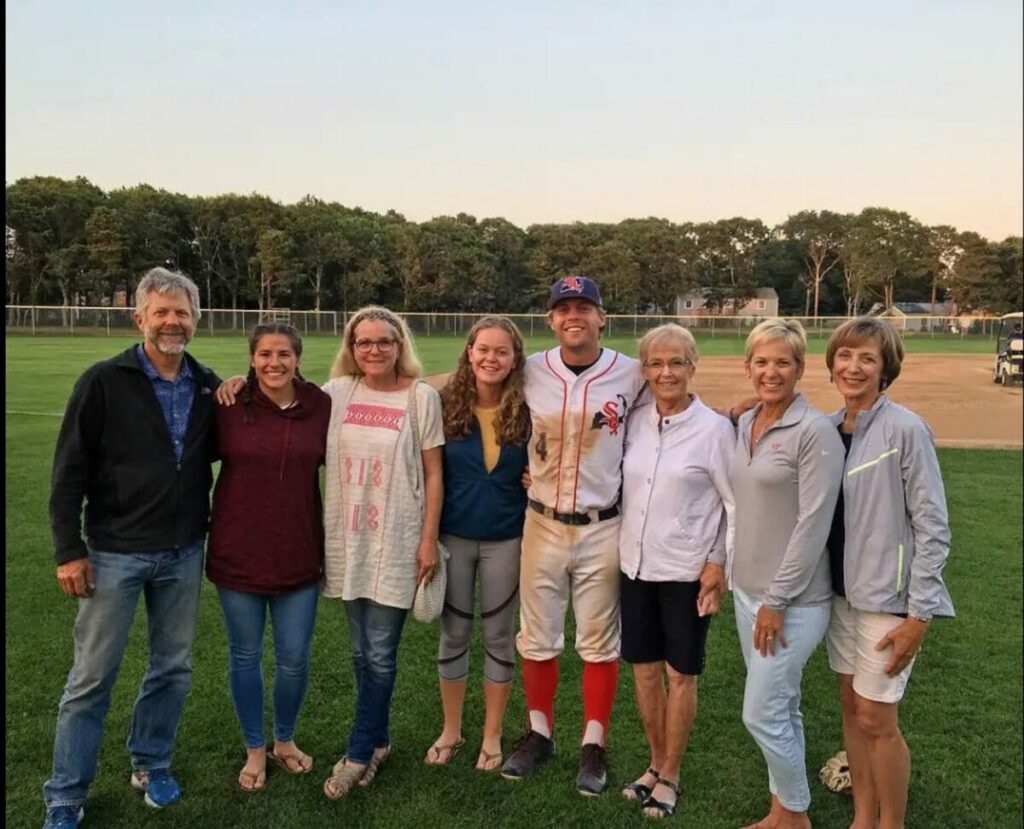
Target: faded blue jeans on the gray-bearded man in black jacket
[170,583]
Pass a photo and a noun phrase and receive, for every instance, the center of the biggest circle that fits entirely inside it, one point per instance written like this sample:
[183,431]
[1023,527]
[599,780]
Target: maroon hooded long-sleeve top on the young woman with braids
[267,534]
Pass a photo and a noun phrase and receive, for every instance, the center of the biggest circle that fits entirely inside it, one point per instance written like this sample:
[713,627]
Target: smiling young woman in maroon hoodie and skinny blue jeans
[267,540]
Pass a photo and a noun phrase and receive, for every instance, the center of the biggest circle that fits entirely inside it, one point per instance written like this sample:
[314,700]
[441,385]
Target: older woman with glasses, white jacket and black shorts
[677,530]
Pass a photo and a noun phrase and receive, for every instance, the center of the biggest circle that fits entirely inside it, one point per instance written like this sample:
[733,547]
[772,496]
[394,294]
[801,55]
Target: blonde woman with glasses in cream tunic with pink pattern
[382,511]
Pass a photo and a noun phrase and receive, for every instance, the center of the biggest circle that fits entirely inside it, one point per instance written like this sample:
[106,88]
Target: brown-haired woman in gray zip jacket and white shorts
[888,546]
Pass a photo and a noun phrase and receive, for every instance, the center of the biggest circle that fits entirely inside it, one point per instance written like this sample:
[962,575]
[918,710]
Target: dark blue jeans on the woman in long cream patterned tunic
[375,631]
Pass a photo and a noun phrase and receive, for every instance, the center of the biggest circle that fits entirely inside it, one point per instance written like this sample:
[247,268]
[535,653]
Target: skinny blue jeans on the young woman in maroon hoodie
[292,617]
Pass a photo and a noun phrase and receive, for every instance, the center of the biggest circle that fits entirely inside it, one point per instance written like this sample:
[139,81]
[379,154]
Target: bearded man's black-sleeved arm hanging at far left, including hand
[80,432]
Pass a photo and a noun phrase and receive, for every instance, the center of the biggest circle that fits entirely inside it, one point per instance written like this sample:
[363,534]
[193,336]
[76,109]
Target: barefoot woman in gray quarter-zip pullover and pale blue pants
[786,476]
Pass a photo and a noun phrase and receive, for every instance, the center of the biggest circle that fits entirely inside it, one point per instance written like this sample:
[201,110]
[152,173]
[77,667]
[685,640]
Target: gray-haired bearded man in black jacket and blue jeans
[136,447]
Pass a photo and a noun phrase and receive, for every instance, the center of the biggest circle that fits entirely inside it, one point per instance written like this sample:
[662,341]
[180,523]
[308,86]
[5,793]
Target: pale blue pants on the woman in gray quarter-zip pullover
[772,699]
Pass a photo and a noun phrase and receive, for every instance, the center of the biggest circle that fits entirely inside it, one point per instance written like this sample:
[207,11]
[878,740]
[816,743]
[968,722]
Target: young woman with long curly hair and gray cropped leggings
[487,428]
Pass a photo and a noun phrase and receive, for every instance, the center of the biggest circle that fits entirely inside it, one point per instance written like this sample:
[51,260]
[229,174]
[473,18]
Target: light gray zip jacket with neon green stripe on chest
[898,527]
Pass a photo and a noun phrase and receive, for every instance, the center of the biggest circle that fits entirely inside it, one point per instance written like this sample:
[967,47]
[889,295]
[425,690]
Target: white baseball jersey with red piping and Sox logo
[576,452]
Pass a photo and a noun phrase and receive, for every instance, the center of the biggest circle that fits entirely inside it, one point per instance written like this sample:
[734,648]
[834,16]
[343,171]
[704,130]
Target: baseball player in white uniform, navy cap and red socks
[579,395]
